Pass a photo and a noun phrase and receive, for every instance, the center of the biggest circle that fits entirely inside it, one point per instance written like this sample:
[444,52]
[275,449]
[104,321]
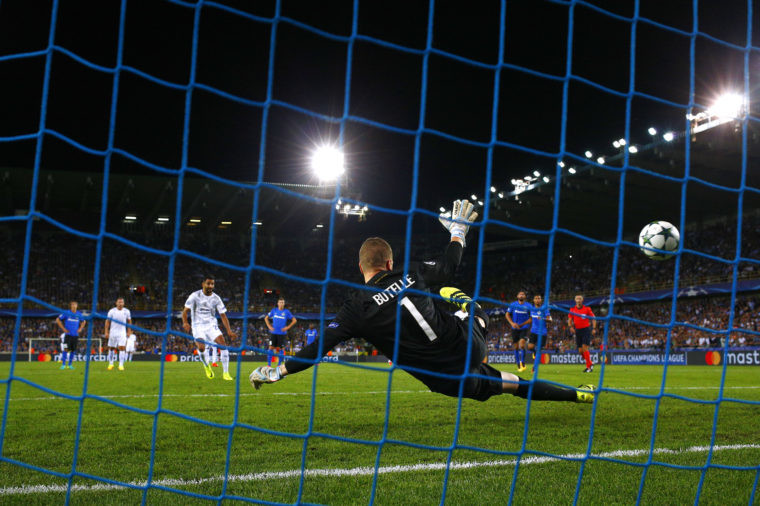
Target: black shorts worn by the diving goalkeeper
[478,388]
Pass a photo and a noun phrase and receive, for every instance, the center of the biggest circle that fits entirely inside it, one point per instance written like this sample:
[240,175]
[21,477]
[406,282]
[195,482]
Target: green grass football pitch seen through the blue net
[115,442]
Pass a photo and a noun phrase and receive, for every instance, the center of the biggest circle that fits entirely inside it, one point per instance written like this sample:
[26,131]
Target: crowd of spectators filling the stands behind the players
[61,268]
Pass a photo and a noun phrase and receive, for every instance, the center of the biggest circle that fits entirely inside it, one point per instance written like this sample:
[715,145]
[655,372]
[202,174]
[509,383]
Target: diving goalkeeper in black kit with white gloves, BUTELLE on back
[430,337]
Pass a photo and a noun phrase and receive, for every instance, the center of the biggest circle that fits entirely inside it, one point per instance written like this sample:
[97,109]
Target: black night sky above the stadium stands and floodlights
[386,86]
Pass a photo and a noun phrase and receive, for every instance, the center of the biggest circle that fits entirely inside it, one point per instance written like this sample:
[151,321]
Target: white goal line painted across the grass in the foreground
[362,471]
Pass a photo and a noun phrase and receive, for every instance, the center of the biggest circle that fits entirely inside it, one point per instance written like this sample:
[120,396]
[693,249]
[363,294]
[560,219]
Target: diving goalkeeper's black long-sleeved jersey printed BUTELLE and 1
[430,337]
